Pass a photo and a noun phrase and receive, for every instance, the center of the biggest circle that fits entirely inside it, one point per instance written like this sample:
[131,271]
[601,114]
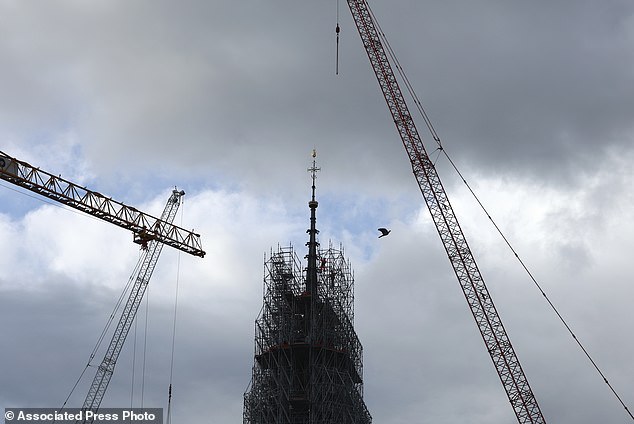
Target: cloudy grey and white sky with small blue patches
[226,100]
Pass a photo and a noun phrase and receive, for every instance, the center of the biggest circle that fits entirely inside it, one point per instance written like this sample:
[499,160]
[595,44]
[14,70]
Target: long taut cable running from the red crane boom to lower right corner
[436,138]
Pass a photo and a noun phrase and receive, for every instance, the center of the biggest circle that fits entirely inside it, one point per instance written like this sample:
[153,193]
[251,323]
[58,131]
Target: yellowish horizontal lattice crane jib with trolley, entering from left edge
[145,227]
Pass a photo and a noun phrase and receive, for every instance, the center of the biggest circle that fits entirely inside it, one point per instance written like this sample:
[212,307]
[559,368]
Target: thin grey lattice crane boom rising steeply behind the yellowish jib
[148,262]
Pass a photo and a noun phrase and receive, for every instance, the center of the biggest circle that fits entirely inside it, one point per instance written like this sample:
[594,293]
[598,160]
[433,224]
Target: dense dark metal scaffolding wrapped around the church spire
[308,366]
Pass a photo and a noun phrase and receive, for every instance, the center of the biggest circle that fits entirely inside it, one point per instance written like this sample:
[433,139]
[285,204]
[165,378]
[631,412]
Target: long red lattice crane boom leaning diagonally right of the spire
[476,293]
